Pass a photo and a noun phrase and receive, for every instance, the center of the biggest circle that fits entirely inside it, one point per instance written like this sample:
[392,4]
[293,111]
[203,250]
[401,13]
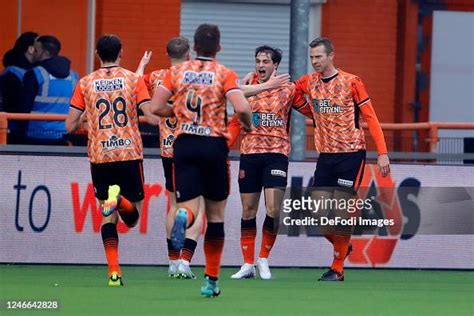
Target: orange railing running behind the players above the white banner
[407,142]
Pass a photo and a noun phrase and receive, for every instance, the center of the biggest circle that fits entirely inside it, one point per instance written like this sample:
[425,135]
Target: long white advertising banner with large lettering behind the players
[49,215]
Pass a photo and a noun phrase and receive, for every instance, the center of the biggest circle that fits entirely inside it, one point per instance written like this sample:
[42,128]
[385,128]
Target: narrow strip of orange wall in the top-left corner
[8,30]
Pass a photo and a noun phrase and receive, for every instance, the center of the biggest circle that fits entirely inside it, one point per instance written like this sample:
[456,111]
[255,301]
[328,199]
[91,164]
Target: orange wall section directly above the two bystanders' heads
[65,19]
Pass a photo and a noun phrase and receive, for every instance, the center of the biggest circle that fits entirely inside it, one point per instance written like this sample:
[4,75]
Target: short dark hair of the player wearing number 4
[206,40]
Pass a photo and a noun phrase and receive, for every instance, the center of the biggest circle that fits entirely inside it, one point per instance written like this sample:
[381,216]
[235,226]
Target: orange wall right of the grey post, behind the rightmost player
[365,40]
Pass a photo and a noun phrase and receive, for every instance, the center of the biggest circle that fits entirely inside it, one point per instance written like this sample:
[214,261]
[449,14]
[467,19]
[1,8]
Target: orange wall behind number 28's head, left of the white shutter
[142,25]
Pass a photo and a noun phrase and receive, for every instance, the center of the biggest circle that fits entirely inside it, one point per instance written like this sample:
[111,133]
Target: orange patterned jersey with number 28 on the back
[110,98]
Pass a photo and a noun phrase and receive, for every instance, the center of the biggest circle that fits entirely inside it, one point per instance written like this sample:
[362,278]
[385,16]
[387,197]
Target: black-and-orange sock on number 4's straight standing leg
[213,248]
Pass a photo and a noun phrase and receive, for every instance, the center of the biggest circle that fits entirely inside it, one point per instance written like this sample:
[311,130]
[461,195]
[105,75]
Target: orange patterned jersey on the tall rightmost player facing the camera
[335,106]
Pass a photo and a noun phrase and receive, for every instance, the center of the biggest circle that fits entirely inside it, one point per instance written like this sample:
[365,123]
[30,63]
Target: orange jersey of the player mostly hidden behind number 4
[167,125]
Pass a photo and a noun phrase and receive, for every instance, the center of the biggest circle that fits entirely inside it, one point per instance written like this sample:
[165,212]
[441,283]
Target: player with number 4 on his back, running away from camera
[200,88]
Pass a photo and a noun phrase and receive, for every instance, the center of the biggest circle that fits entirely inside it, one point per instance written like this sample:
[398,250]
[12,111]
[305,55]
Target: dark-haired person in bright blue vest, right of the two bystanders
[48,88]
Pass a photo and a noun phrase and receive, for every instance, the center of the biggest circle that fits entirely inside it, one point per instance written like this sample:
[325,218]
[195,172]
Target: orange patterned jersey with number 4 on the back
[200,87]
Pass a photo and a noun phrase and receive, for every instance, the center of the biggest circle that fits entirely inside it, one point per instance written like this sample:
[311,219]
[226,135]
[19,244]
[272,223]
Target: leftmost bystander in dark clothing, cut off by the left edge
[16,61]
